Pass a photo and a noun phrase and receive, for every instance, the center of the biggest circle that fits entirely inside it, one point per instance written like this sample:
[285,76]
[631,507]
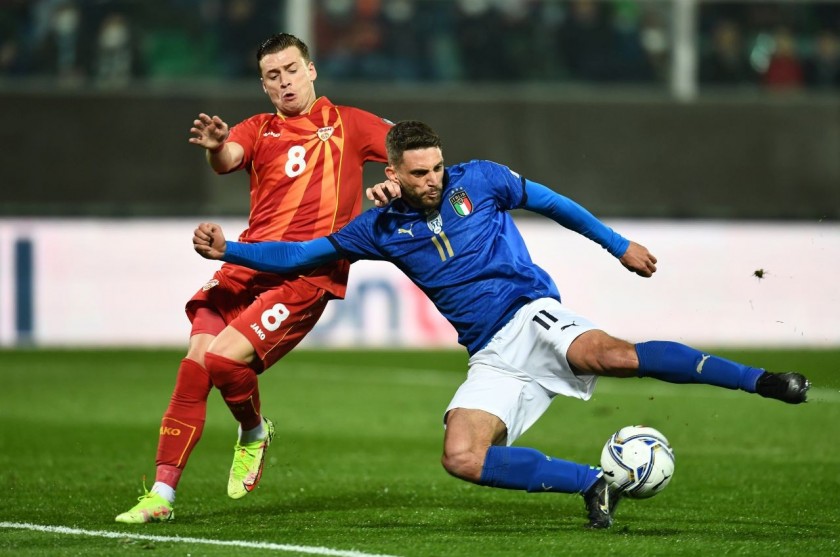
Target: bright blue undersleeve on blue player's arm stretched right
[573,216]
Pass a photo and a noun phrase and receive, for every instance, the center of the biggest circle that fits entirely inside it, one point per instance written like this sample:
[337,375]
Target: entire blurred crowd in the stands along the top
[111,43]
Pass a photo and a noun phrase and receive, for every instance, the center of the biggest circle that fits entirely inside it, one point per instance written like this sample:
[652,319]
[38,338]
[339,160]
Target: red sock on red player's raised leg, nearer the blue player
[238,385]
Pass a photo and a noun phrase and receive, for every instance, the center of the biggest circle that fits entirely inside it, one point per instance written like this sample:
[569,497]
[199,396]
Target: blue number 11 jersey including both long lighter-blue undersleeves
[468,257]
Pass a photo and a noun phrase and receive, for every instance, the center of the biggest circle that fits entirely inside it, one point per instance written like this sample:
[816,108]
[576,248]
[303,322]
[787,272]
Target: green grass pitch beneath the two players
[355,463]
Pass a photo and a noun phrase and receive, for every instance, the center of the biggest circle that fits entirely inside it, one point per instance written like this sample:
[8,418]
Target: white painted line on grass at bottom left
[310,550]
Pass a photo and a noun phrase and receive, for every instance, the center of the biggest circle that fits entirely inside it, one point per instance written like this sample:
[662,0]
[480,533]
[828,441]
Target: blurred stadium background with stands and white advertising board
[707,130]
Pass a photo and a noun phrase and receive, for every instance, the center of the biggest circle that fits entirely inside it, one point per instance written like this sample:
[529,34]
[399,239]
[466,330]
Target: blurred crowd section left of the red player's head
[110,43]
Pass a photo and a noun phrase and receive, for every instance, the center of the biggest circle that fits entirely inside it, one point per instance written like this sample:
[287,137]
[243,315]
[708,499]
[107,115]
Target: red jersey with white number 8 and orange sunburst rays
[306,175]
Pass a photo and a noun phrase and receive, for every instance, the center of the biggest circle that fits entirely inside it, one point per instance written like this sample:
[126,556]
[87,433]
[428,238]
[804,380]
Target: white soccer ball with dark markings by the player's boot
[638,461]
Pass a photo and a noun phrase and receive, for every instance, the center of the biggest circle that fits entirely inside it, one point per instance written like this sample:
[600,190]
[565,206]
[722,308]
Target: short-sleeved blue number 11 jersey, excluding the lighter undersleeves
[468,258]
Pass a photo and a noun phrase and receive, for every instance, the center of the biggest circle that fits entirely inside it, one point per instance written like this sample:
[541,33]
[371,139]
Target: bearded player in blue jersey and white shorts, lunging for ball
[450,232]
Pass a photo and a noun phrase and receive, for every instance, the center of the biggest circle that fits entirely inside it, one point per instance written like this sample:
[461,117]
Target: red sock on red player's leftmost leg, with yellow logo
[183,421]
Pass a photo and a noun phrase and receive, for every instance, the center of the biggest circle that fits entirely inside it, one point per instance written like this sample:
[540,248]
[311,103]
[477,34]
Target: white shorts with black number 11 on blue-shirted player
[520,371]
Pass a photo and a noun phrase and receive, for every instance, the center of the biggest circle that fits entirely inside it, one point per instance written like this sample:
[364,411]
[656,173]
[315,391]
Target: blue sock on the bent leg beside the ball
[530,470]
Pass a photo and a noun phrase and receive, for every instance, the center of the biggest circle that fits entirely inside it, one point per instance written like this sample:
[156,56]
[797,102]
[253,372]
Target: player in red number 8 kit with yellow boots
[305,165]
